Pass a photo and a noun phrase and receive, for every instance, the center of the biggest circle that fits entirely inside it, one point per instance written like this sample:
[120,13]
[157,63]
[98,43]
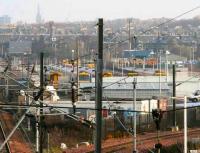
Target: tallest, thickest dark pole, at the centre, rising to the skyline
[98,82]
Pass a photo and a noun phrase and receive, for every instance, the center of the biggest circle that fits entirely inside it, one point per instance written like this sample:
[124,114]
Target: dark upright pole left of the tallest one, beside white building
[41,98]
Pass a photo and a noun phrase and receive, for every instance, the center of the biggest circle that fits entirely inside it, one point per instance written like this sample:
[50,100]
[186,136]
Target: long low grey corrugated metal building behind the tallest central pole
[144,90]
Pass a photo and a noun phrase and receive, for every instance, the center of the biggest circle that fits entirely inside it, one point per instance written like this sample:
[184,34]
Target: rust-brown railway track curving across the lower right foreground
[144,142]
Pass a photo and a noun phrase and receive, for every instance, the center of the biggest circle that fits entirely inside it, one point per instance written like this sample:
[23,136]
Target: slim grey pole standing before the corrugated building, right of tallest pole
[135,116]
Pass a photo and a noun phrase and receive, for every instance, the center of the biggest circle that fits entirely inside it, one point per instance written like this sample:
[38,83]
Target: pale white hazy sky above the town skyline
[81,10]
